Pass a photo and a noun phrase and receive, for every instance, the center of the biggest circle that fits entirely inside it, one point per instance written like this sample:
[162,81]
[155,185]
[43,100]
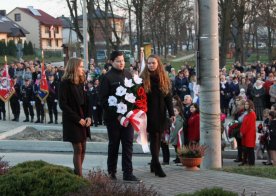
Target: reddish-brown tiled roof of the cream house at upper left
[45,18]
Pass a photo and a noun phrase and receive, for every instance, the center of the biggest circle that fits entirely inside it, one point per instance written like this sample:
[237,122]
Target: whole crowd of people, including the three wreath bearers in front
[173,98]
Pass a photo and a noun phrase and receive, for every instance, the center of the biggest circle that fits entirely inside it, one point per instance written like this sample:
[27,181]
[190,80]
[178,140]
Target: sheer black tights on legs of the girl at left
[78,157]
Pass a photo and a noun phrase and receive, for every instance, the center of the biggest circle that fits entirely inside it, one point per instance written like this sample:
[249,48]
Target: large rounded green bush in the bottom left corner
[40,178]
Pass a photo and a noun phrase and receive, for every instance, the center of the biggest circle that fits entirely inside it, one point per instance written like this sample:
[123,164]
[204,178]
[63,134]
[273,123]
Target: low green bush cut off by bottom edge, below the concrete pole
[215,191]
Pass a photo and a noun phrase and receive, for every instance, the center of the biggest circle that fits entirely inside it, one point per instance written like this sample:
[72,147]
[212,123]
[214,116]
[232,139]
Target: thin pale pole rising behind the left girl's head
[85,45]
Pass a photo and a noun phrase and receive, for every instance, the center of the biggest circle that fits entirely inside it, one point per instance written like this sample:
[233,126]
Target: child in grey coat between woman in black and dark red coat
[177,136]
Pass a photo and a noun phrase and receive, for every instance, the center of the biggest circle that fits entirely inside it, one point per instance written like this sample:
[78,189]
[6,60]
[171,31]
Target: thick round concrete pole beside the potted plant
[210,132]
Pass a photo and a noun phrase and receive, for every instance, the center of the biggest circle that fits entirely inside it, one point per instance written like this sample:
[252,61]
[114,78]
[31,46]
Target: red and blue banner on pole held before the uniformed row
[43,84]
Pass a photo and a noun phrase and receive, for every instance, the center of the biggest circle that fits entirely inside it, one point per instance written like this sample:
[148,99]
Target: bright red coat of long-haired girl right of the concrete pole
[248,130]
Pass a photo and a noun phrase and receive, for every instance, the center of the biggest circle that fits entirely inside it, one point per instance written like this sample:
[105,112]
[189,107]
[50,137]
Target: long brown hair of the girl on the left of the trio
[70,72]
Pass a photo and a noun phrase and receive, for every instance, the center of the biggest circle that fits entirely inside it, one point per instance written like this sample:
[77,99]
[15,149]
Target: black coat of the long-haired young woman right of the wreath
[158,104]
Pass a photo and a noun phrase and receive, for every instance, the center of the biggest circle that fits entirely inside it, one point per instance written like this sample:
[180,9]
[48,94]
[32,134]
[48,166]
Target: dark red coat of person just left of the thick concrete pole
[193,127]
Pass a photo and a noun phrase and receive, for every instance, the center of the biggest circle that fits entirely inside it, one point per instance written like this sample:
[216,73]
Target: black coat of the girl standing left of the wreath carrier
[70,104]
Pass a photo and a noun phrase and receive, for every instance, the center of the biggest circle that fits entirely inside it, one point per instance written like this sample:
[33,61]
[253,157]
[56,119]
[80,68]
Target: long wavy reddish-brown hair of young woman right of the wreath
[164,81]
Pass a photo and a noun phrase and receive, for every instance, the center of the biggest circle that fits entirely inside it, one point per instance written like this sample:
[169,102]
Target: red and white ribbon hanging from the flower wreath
[138,120]
